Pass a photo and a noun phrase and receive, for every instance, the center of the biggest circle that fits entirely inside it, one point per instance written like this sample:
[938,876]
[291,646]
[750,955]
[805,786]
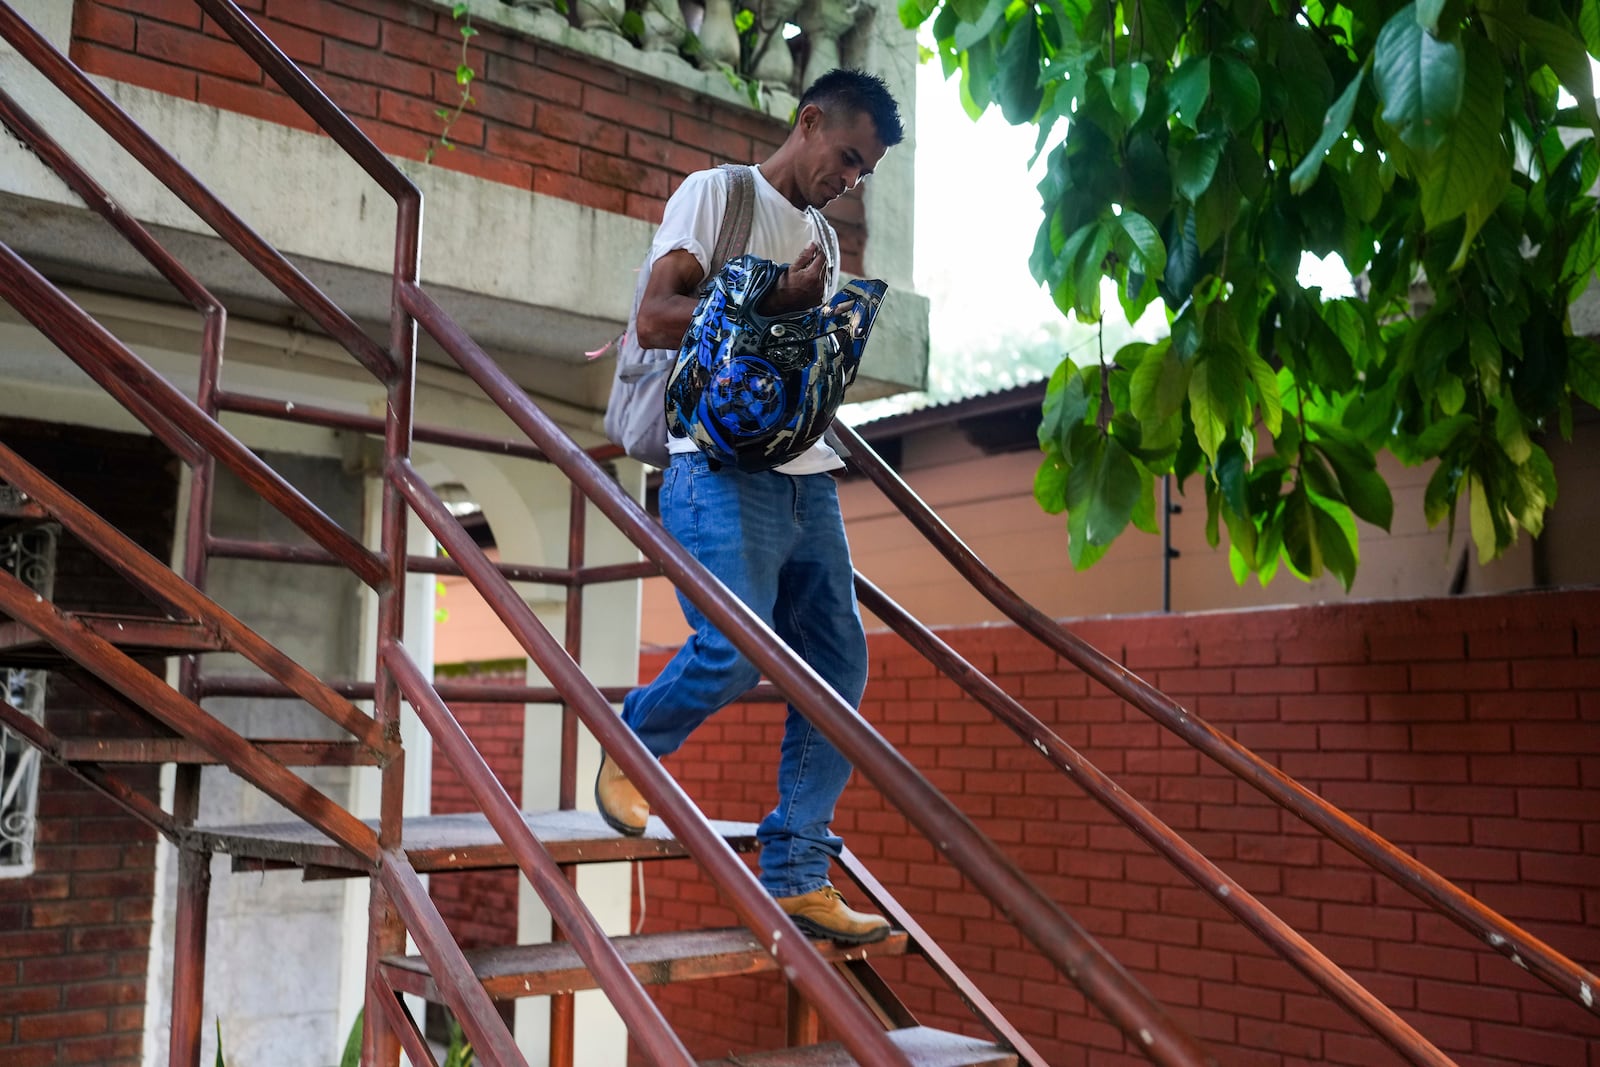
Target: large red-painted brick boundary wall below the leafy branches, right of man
[1468,732]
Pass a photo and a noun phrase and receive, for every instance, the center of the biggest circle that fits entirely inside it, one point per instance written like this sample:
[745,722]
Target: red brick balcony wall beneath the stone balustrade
[543,119]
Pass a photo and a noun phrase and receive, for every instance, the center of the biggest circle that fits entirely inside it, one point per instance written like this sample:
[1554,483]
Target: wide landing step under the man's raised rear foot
[462,842]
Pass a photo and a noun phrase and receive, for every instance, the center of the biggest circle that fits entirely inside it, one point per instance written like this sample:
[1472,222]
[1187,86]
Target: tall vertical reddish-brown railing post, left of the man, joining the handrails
[386,933]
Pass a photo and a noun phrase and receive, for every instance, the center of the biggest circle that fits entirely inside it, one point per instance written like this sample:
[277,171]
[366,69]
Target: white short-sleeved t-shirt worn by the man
[778,231]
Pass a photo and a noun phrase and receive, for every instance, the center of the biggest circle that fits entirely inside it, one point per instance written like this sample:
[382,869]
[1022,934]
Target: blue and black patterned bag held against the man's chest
[756,391]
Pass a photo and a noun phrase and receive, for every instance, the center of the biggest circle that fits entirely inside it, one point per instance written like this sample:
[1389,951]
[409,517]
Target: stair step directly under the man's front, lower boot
[657,959]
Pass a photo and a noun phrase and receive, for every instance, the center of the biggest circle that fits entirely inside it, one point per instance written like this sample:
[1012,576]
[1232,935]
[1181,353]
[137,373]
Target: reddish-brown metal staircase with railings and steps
[825,983]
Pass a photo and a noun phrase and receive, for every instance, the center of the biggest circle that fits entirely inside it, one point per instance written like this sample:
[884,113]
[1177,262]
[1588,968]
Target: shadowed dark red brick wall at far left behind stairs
[74,935]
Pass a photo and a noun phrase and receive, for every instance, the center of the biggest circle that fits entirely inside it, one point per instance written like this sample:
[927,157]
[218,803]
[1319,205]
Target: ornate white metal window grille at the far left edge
[30,554]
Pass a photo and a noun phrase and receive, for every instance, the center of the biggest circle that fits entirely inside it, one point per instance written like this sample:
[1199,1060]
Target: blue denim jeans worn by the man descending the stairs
[778,543]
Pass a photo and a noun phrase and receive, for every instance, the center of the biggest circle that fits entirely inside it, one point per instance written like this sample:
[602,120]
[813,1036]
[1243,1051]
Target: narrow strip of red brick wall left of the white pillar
[481,908]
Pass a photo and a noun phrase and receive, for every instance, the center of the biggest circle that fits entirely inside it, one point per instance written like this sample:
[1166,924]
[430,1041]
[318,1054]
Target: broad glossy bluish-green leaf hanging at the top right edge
[1422,84]
